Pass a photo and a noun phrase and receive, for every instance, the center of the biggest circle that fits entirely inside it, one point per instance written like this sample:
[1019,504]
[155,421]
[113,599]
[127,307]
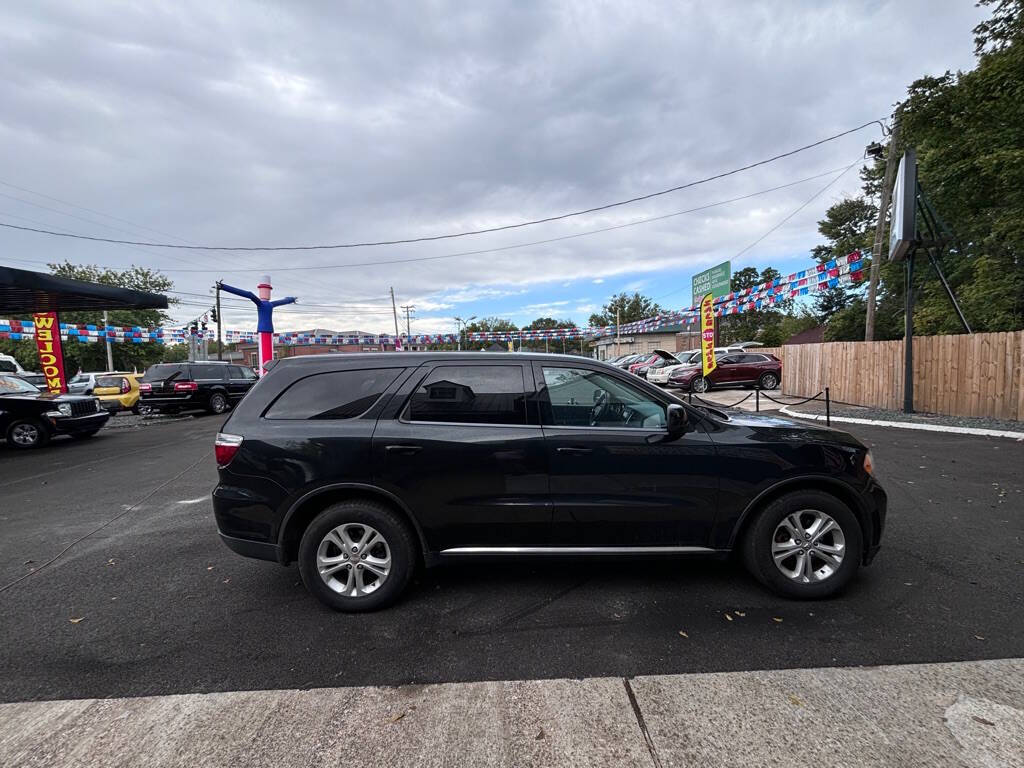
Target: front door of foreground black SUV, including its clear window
[617,479]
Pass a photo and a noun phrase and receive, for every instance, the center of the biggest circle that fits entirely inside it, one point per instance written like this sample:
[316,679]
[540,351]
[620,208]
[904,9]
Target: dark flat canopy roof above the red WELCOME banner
[24,291]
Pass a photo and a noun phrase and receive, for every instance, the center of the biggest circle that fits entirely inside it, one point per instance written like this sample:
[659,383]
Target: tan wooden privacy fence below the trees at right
[963,375]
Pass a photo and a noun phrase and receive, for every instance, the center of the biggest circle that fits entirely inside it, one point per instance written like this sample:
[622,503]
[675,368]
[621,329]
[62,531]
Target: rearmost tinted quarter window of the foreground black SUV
[339,395]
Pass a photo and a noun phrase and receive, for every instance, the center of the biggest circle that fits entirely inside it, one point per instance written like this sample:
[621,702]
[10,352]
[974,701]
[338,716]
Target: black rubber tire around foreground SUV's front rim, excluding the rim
[757,545]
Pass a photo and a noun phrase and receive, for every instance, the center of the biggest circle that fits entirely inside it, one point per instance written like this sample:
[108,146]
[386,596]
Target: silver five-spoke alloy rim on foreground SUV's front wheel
[808,546]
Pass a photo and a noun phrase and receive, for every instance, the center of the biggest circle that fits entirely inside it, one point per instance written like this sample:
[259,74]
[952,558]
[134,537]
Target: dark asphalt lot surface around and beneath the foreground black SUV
[153,604]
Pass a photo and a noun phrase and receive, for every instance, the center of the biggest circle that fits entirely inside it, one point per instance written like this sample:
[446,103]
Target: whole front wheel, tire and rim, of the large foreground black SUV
[805,545]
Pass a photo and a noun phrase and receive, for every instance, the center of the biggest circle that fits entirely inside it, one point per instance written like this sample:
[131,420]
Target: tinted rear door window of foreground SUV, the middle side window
[472,395]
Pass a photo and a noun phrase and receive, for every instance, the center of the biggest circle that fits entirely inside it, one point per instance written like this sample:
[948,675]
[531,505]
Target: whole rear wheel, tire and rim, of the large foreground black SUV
[357,557]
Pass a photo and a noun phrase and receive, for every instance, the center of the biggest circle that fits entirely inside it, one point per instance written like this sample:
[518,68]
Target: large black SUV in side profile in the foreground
[362,466]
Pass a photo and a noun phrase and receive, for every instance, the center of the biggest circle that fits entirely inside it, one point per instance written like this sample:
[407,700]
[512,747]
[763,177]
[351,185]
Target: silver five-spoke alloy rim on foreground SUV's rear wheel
[354,560]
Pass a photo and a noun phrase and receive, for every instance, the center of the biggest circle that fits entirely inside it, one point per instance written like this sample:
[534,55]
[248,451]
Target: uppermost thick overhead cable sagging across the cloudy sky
[426,239]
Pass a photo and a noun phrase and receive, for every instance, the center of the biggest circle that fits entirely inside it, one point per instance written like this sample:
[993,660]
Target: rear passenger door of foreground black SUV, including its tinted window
[463,456]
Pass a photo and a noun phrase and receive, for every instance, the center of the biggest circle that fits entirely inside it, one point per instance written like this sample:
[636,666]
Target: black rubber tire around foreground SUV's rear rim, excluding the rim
[399,538]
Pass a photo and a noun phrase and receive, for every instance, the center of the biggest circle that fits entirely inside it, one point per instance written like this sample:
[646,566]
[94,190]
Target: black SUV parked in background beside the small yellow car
[214,387]
